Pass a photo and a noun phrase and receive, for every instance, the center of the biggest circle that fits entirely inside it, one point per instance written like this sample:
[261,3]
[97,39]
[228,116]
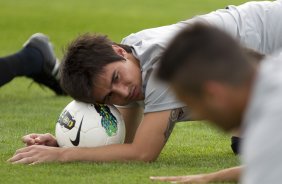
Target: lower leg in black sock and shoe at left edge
[36,61]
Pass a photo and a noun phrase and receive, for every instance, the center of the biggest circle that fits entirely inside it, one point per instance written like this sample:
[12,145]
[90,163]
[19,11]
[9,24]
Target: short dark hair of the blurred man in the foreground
[201,52]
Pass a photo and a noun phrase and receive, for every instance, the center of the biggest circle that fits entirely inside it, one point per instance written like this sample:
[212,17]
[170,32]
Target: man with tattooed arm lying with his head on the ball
[96,69]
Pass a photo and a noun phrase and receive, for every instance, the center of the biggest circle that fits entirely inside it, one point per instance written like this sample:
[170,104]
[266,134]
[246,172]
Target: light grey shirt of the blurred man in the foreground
[261,149]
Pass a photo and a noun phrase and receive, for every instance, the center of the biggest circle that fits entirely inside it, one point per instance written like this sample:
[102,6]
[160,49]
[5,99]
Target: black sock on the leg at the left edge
[25,62]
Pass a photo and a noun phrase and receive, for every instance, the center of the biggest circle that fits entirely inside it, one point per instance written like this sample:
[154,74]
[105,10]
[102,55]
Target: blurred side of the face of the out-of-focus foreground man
[219,108]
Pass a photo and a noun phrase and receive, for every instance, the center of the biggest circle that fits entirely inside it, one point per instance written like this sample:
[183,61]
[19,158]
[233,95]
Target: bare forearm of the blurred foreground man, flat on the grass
[230,174]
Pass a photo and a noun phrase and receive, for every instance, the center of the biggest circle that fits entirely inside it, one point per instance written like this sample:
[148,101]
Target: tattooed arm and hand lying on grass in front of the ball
[148,142]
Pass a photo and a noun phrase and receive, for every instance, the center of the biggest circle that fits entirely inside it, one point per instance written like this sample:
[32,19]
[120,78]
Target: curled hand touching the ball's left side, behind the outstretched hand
[40,139]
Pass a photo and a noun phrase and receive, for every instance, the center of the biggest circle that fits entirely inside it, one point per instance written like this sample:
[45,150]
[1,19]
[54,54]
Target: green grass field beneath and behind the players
[194,147]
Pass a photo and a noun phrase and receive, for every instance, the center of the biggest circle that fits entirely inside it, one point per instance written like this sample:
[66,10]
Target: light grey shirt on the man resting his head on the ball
[255,24]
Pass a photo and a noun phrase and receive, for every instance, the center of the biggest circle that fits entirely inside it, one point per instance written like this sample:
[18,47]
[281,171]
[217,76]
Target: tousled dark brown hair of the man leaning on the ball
[84,60]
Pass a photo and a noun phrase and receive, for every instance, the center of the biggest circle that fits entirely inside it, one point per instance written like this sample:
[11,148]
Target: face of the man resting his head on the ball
[119,84]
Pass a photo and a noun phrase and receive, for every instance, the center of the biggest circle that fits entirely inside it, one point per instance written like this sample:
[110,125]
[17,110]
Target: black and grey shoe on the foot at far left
[49,76]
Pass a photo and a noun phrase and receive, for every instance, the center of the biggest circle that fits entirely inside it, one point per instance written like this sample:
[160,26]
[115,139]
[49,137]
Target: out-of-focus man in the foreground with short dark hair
[229,86]
